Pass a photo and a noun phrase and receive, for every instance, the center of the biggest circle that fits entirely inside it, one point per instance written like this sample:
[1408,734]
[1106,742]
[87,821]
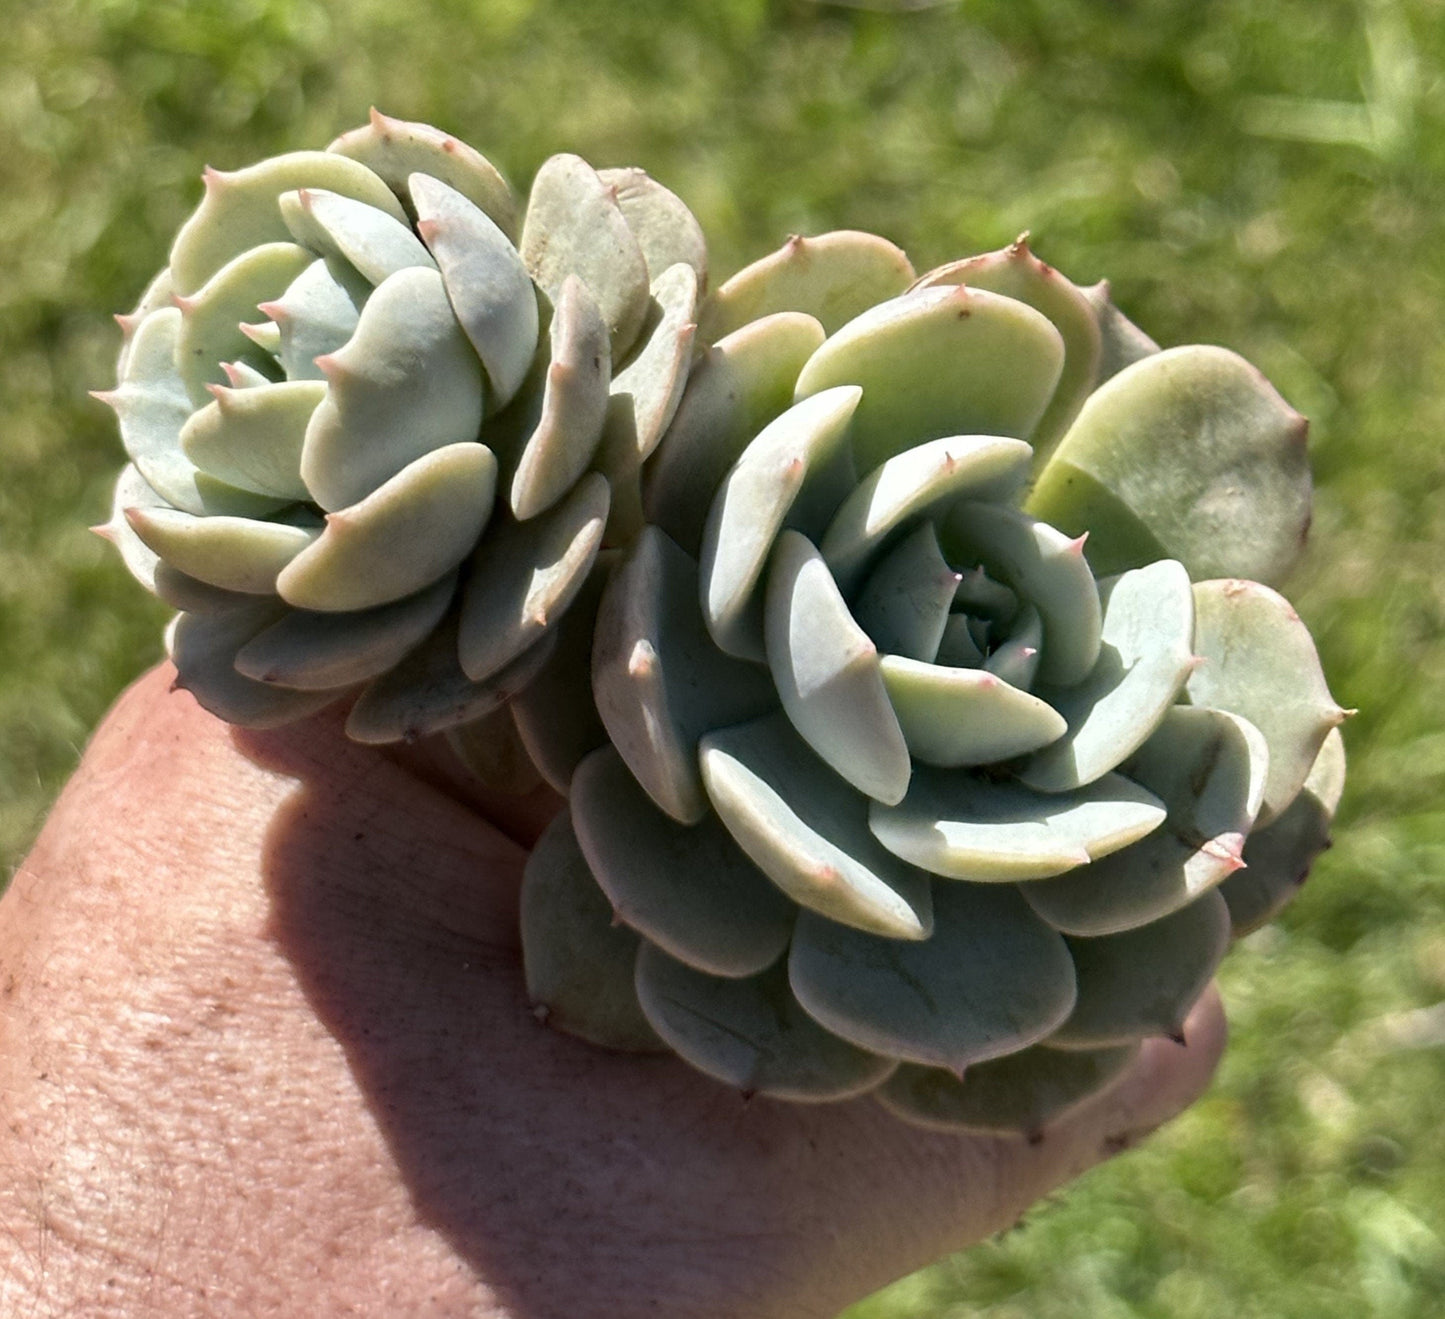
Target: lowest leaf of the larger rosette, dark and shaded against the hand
[1015,1096]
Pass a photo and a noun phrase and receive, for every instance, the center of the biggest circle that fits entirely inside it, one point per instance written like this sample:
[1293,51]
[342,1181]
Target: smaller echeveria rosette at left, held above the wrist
[379,424]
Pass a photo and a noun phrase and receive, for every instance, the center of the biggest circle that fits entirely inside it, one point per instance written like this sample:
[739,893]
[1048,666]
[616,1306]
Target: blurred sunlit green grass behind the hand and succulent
[1264,177]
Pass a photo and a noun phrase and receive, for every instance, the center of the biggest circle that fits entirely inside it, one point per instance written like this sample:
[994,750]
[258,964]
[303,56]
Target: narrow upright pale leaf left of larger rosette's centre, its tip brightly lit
[754,505]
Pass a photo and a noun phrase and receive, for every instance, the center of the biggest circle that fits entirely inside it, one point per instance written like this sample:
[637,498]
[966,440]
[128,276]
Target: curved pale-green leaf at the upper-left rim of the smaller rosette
[241,210]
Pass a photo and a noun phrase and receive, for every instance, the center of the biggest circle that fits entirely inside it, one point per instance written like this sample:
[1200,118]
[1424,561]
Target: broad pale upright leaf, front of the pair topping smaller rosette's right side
[574,226]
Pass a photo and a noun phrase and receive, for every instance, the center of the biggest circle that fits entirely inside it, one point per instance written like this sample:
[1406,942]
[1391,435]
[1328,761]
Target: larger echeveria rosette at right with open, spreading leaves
[940,706]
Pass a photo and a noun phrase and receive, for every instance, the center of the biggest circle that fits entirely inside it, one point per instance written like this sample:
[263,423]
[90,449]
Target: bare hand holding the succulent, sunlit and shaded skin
[265,1051]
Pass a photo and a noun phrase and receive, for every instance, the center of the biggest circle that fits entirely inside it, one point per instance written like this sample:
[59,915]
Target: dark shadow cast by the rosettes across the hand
[570,1180]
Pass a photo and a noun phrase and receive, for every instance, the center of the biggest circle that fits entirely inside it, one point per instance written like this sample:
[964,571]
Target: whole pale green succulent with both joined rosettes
[931,723]
